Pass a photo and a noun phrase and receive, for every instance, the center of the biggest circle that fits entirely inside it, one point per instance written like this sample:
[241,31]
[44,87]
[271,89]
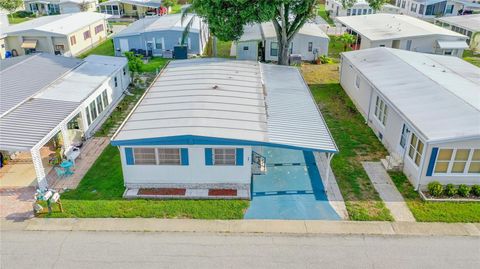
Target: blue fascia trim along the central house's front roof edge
[205,140]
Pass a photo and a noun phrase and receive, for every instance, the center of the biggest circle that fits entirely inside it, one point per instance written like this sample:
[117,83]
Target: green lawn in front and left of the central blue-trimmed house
[99,195]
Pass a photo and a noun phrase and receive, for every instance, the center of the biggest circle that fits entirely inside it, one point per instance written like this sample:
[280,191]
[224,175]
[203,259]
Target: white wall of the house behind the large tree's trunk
[300,46]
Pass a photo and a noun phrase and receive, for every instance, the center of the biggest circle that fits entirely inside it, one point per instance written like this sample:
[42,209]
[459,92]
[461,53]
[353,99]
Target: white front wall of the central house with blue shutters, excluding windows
[196,172]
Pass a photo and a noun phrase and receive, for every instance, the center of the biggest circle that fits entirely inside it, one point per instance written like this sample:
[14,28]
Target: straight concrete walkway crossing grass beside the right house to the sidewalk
[388,191]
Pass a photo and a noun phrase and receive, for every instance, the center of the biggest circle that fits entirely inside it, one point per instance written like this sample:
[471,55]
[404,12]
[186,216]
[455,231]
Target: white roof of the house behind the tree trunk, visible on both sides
[261,31]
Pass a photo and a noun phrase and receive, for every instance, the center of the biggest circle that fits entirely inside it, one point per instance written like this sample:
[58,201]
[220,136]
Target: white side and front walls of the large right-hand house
[364,98]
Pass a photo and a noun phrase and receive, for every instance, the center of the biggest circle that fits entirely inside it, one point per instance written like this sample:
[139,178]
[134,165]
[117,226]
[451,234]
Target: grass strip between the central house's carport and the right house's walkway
[355,140]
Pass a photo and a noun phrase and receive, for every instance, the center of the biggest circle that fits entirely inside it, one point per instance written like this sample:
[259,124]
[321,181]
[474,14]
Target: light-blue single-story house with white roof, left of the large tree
[158,34]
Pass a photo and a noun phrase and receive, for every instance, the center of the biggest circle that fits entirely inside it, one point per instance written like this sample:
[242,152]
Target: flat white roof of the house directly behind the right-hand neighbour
[392,26]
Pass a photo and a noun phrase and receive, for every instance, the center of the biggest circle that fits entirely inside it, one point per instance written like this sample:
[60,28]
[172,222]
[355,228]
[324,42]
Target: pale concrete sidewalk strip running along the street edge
[246,226]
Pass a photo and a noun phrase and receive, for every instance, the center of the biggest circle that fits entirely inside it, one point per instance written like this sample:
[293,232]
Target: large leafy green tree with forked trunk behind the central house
[226,18]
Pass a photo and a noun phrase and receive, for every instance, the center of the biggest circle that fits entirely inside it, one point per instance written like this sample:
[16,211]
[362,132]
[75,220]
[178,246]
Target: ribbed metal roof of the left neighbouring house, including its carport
[56,86]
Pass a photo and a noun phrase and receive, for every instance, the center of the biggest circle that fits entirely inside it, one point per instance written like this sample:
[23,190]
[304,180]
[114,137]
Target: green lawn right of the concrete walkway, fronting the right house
[435,211]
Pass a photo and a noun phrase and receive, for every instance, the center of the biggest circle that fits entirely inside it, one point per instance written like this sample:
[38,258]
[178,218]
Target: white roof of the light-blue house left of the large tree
[160,23]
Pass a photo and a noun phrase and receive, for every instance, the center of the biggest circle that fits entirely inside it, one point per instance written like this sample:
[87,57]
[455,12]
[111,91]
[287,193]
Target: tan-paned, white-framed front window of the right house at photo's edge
[457,161]
